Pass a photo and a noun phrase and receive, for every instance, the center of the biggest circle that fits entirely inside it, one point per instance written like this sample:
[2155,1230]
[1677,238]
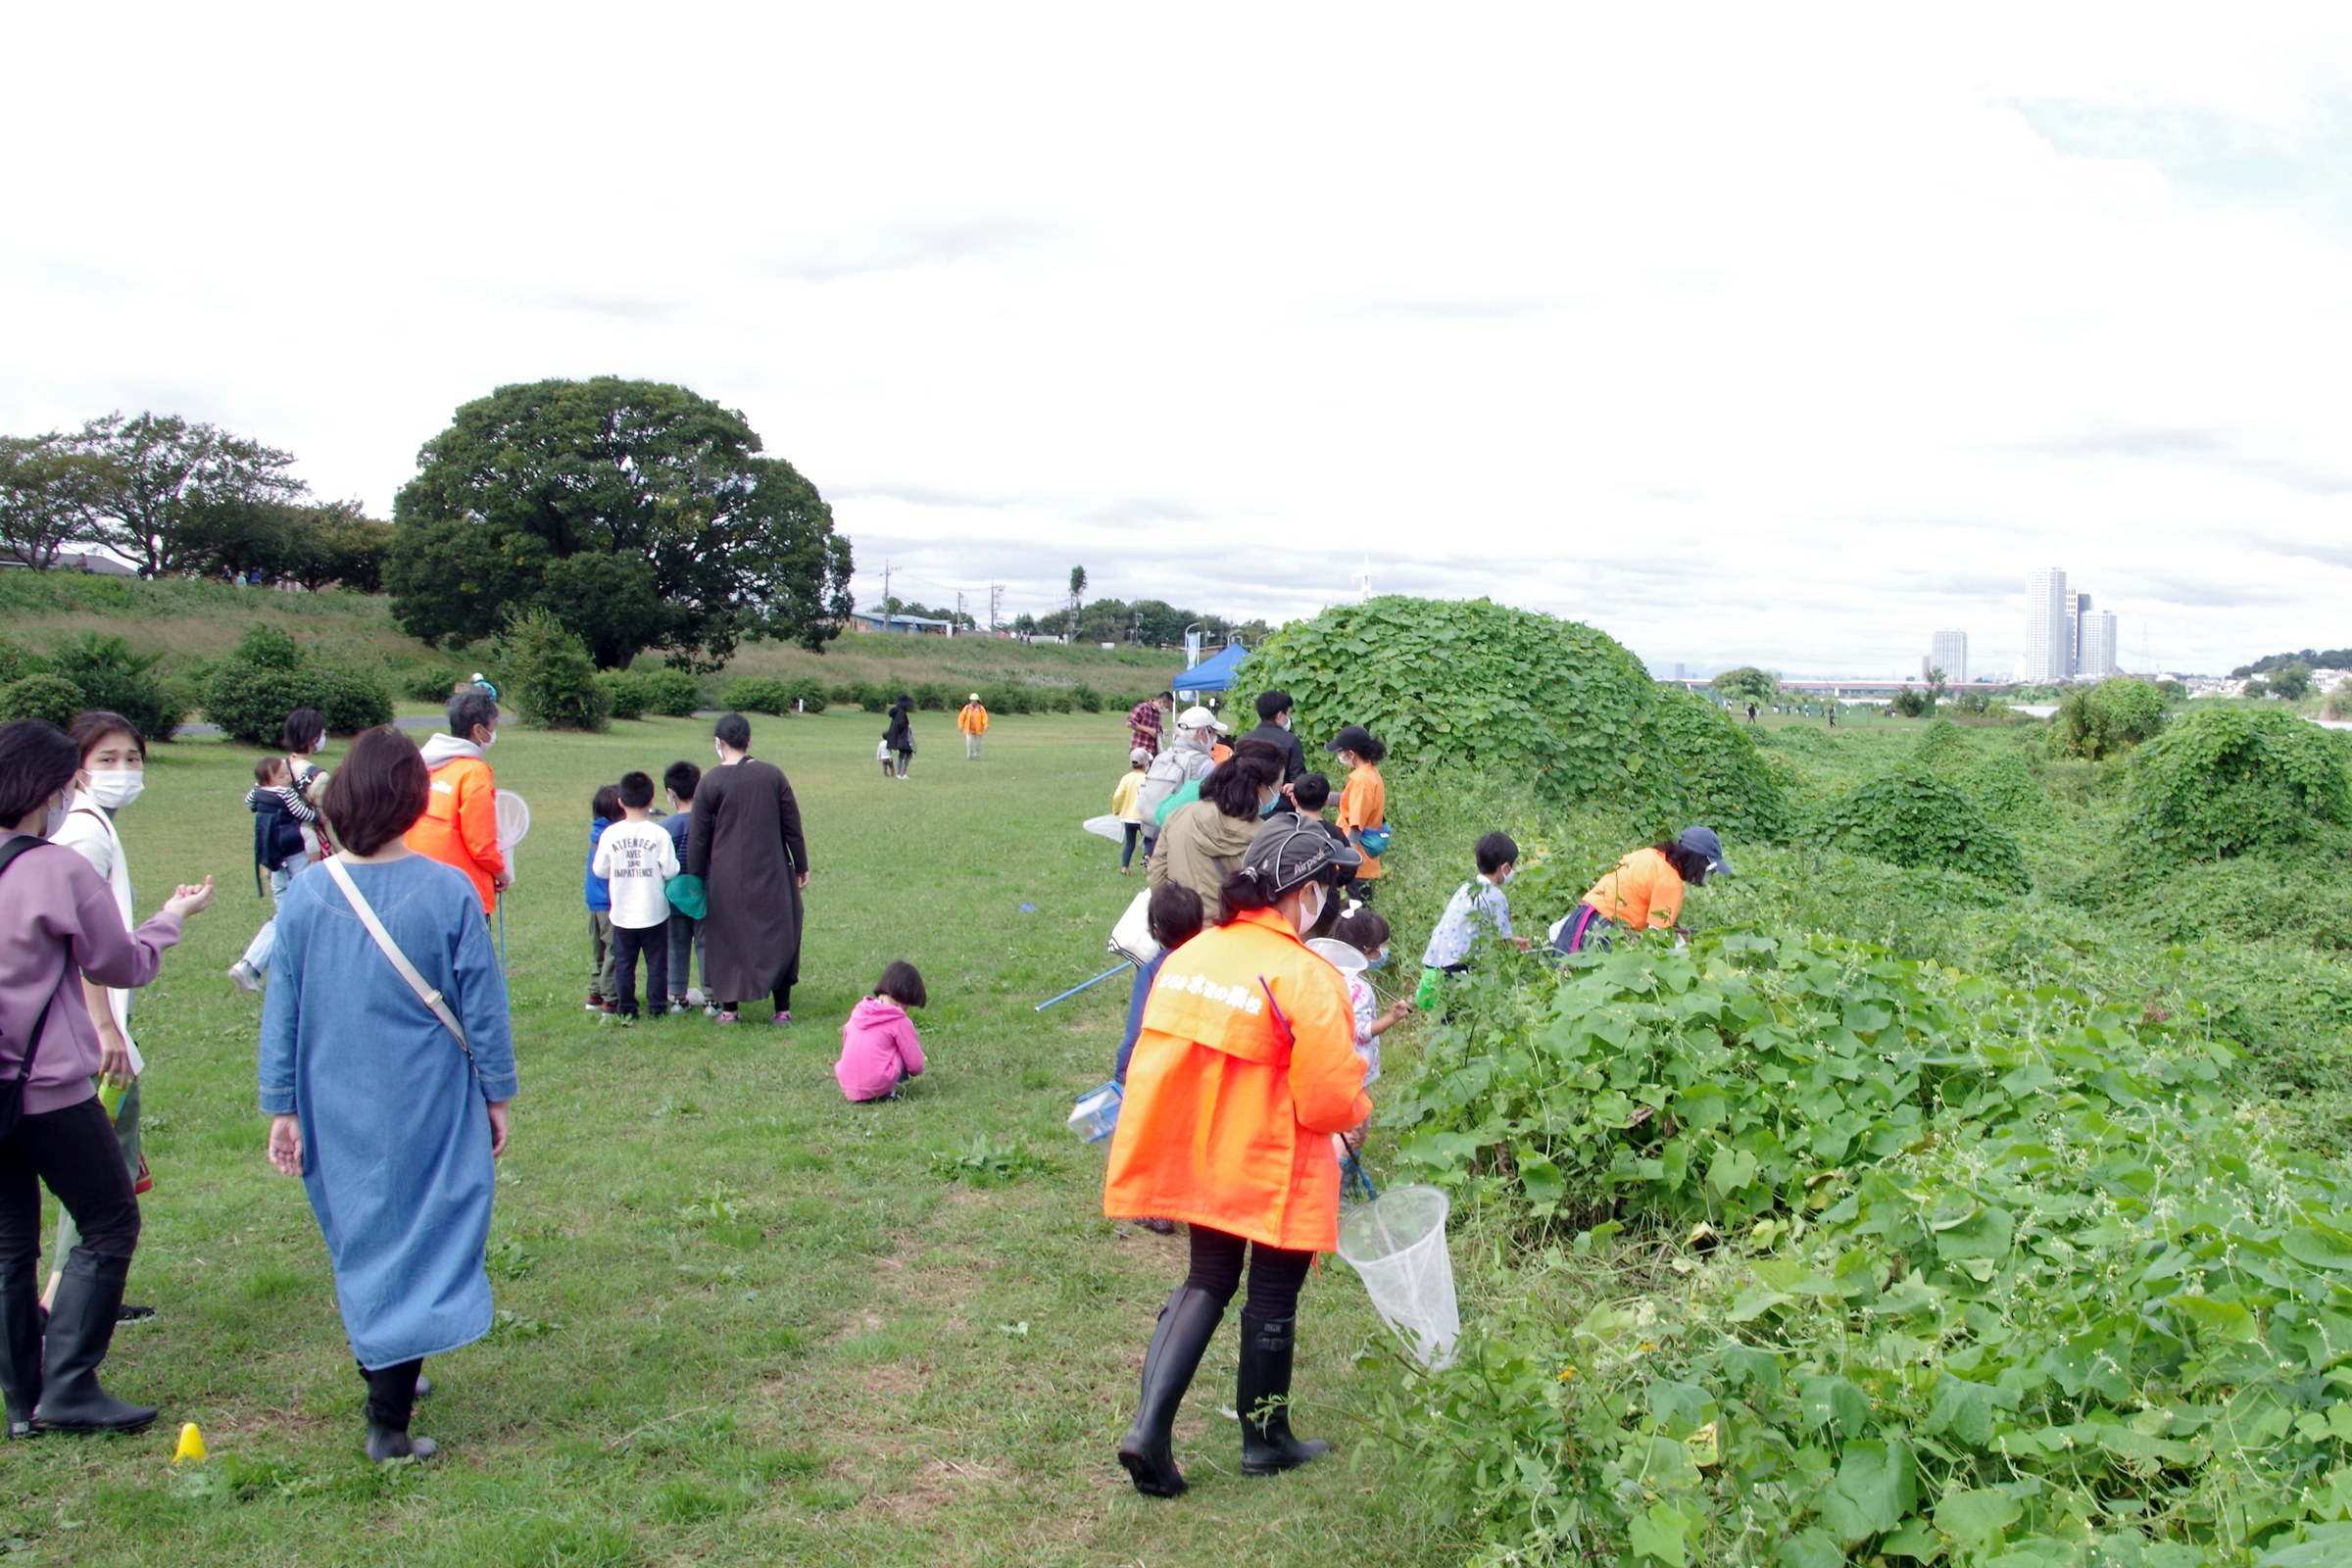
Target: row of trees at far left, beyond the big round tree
[180,497]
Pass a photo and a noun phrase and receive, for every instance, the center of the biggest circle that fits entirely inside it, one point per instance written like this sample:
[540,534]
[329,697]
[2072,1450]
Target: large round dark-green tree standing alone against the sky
[639,514]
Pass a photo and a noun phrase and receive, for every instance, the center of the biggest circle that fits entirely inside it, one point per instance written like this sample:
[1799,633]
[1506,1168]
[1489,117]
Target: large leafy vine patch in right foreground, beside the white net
[1972,1275]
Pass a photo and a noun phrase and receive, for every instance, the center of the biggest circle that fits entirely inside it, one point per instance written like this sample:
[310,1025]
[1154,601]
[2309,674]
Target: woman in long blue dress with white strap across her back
[387,993]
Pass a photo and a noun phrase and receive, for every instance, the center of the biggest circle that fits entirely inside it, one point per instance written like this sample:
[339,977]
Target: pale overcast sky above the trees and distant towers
[1772,335]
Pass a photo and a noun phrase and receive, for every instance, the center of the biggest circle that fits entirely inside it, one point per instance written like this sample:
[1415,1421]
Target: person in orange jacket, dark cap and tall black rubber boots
[1241,1076]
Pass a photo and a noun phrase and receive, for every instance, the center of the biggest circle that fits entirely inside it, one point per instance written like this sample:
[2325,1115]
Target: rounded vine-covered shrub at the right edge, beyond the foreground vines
[2226,782]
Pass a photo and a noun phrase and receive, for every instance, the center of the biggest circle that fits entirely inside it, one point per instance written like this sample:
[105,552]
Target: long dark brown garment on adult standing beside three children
[749,852]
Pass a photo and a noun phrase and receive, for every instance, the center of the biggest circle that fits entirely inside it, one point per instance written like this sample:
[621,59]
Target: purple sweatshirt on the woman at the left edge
[58,911]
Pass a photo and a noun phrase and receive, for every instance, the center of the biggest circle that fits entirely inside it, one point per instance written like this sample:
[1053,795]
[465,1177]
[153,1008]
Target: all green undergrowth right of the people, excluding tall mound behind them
[1977,1212]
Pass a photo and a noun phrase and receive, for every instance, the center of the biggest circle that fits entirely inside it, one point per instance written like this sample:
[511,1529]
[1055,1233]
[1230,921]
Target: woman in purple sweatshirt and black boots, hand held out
[58,925]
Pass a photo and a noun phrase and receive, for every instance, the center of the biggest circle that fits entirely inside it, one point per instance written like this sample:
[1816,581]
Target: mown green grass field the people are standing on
[742,1322]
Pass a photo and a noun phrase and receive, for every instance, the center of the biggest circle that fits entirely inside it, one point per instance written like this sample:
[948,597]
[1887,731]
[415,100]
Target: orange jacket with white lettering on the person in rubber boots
[1229,1115]
